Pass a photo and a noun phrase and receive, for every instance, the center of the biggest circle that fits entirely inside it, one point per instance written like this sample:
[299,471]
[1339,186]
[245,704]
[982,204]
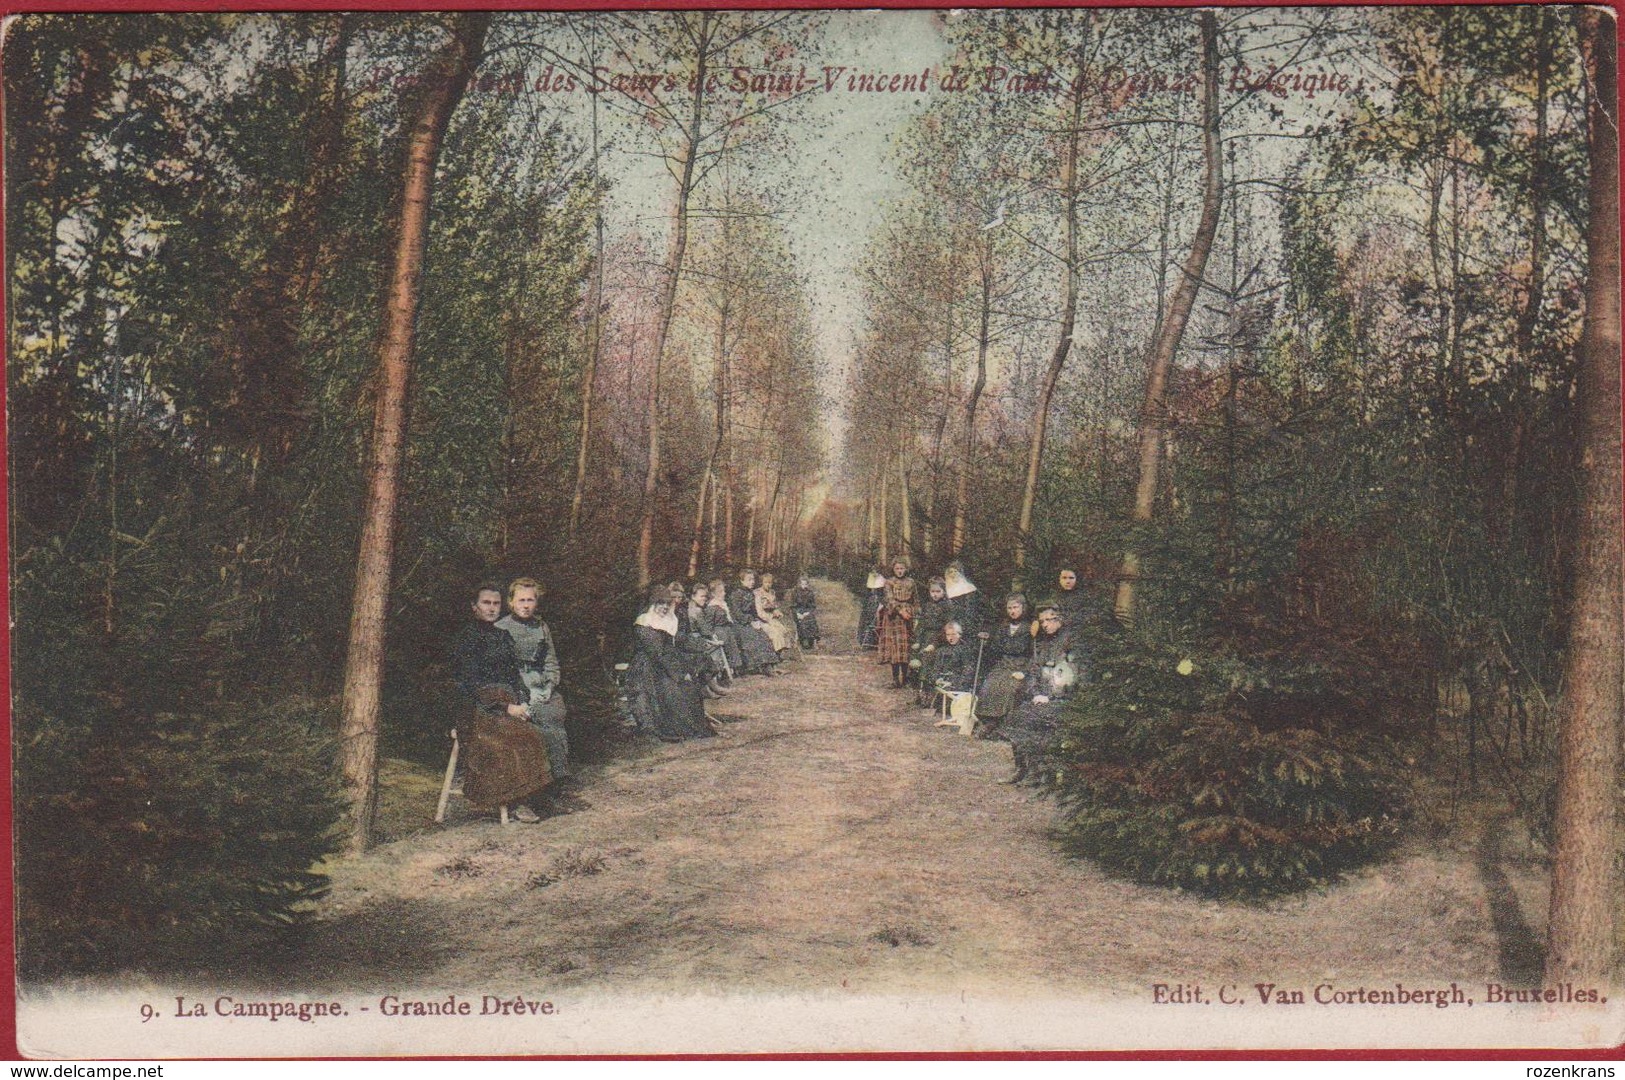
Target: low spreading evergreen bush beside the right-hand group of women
[1177,767]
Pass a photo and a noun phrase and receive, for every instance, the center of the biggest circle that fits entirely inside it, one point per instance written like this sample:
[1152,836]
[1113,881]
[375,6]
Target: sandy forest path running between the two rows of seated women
[836,842]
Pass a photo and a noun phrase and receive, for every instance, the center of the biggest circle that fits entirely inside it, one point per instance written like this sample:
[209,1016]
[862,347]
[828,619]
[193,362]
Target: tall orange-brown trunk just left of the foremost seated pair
[444,84]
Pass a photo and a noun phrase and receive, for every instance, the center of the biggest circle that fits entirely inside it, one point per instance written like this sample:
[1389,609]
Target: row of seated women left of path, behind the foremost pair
[691,644]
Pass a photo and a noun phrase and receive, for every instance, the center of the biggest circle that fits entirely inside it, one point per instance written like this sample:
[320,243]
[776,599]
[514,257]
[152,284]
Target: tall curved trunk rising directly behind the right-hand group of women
[1168,343]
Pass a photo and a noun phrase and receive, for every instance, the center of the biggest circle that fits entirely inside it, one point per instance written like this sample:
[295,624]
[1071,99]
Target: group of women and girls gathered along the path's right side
[1021,667]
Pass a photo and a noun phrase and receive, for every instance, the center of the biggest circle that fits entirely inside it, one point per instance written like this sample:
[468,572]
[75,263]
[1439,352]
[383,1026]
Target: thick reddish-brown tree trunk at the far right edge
[1580,936]
